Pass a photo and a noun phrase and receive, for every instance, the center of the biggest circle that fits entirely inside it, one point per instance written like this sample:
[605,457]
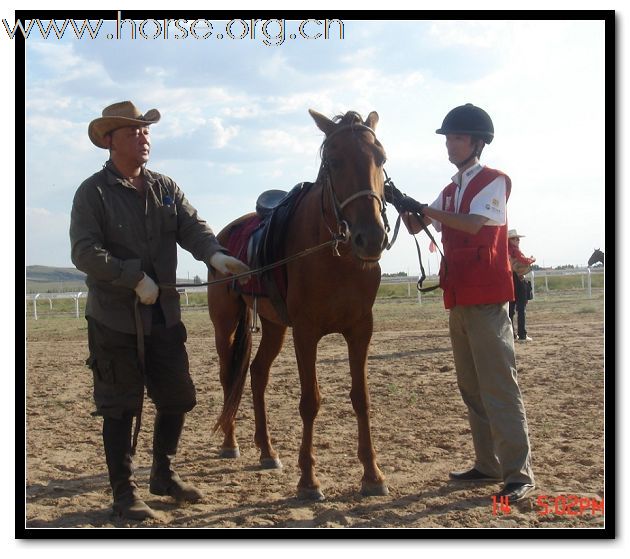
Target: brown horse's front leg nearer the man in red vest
[358,339]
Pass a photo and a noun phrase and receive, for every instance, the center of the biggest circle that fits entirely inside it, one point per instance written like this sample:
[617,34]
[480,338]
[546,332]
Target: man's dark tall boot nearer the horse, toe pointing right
[164,481]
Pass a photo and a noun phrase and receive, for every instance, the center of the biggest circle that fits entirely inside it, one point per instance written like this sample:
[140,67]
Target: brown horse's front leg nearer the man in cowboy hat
[305,342]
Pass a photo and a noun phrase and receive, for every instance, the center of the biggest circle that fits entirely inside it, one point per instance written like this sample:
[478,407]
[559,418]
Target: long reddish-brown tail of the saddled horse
[239,363]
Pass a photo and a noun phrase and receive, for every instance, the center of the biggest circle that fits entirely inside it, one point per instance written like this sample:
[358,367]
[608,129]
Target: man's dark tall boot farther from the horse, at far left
[117,442]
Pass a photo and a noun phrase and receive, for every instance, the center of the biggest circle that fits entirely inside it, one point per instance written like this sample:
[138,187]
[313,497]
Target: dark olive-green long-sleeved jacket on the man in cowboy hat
[116,234]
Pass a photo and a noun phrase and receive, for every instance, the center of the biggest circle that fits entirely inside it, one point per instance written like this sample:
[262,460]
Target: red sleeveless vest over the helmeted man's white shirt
[477,270]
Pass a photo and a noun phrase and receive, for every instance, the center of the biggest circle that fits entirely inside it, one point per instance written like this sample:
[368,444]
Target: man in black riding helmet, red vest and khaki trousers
[477,282]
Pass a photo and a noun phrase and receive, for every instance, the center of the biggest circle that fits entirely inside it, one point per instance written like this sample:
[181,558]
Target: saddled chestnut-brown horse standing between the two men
[325,293]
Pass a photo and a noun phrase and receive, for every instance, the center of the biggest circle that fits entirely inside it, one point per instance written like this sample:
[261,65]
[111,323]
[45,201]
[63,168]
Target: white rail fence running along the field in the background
[411,281]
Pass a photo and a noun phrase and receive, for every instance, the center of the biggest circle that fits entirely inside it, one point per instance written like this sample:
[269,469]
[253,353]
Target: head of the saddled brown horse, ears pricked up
[352,170]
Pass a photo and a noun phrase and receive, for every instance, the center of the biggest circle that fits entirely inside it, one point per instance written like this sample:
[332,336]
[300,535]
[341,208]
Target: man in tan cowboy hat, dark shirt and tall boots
[125,225]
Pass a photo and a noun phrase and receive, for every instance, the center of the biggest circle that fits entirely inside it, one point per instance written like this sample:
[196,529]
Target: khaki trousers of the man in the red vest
[483,348]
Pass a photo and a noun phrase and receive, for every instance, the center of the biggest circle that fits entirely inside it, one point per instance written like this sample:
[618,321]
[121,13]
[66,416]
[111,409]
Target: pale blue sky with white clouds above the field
[235,119]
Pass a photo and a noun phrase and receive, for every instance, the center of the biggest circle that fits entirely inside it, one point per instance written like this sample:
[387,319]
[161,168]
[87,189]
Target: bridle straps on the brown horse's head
[343,233]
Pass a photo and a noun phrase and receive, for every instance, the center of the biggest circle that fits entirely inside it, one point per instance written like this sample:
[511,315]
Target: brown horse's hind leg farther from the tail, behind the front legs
[270,345]
